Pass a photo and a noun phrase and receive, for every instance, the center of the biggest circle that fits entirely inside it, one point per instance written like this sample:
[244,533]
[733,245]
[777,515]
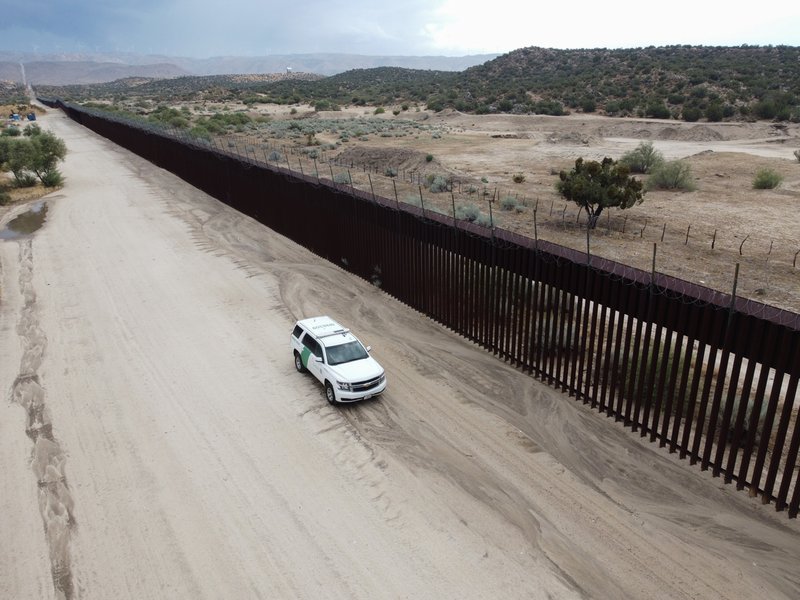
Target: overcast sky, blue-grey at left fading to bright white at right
[201,29]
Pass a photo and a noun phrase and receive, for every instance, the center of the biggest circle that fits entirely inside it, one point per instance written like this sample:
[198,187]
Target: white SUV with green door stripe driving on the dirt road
[338,359]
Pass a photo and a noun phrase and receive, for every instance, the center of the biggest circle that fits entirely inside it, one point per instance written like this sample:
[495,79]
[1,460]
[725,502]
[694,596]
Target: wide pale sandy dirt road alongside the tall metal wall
[156,442]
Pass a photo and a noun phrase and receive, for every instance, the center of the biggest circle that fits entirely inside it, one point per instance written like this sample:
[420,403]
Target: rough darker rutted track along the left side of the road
[47,457]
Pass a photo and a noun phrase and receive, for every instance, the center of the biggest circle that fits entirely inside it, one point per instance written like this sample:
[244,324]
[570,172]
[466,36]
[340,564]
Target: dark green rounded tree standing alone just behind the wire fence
[595,186]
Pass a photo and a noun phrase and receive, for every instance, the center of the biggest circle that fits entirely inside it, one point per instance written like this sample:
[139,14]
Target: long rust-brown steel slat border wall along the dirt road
[710,376]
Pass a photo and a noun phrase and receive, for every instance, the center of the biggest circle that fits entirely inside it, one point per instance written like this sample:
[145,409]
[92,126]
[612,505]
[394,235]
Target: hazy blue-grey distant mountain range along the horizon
[90,68]
